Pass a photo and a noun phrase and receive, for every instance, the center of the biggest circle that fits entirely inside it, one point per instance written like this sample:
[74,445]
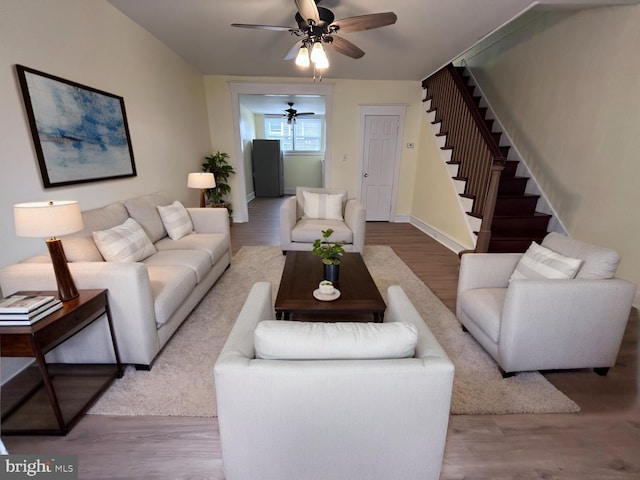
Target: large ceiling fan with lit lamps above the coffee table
[317,27]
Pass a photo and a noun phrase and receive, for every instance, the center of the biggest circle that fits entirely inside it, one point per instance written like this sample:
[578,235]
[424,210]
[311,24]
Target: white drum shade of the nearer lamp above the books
[47,219]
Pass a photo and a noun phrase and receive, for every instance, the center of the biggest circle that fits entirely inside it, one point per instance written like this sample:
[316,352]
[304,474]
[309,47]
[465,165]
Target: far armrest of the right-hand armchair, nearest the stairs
[486,270]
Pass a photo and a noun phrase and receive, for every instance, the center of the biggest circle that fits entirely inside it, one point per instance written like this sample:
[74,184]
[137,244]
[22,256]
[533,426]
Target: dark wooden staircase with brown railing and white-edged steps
[500,208]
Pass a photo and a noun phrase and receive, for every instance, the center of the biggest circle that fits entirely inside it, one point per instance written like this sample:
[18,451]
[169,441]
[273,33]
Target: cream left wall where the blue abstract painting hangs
[92,43]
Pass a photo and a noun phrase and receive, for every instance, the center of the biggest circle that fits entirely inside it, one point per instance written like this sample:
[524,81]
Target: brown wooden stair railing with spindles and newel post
[475,148]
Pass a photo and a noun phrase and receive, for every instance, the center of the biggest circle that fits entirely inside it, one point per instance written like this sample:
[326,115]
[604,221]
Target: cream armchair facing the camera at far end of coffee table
[298,231]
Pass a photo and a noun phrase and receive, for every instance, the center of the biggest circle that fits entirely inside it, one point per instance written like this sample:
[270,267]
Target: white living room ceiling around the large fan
[427,34]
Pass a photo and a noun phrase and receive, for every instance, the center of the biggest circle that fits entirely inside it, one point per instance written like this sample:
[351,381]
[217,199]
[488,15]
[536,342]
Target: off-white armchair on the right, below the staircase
[543,324]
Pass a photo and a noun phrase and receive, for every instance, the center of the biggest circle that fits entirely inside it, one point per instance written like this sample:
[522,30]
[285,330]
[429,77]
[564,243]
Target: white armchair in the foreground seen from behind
[348,419]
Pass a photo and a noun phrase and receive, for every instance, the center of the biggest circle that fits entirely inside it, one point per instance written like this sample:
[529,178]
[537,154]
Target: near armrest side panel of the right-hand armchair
[587,317]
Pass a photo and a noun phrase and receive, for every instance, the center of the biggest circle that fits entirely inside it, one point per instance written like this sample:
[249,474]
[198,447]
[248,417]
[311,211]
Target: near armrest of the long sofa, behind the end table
[130,301]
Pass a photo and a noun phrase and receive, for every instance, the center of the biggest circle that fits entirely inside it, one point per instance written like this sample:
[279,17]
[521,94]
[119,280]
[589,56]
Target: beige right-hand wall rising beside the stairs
[565,87]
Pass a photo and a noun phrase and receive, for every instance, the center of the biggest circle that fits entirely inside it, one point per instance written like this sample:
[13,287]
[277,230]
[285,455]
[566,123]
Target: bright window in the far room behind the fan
[305,135]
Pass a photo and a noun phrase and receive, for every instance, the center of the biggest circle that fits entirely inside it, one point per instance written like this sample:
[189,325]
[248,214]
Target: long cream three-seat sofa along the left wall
[149,298]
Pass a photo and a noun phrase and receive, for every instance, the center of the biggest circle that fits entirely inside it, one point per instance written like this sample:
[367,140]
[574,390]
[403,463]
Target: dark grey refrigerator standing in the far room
[268,176]
